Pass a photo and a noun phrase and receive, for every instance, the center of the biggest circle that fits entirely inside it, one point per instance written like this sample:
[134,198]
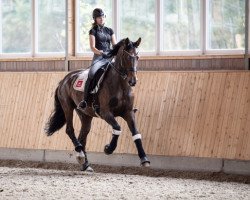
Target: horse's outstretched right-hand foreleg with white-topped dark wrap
[130,119]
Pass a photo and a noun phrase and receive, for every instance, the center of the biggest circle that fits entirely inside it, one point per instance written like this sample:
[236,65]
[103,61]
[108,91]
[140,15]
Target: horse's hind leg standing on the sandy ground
[85,128]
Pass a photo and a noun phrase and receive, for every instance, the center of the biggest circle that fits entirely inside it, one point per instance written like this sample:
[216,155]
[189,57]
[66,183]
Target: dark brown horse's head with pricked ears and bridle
[129,59]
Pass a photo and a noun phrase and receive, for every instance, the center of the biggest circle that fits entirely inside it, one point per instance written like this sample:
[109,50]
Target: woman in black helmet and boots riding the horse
[100,38]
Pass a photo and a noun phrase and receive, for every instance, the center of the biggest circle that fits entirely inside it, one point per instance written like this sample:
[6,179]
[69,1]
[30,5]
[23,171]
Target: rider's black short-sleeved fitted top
[102,37]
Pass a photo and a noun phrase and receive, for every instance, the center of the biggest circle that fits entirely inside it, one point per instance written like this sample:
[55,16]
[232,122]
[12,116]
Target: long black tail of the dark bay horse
[57,118]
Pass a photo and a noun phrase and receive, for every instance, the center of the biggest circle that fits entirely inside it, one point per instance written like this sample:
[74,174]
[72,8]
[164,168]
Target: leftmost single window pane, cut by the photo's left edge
[16,34]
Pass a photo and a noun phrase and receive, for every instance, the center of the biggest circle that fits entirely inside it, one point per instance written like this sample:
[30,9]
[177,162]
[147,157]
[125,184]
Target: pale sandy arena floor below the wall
[30,180]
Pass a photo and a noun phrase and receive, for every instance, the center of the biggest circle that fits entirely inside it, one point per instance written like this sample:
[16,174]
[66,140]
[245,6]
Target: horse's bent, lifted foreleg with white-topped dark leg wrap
[110,119]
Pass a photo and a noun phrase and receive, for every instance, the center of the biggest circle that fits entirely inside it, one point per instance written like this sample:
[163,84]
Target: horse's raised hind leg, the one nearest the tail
[68,111]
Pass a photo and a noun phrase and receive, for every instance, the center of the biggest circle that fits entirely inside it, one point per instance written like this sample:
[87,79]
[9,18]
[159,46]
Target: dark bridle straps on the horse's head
[133,68]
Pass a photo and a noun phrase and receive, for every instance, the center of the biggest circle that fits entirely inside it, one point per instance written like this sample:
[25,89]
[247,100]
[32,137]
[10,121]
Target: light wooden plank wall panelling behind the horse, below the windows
[200,114]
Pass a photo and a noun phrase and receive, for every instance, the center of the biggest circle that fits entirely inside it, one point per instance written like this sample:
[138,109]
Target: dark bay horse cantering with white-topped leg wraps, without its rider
[115,98]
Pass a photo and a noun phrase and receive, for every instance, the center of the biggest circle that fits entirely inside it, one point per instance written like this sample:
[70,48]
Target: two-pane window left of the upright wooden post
[17,30]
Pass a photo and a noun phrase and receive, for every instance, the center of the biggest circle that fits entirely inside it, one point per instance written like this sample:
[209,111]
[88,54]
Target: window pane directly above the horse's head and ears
[137,19]
